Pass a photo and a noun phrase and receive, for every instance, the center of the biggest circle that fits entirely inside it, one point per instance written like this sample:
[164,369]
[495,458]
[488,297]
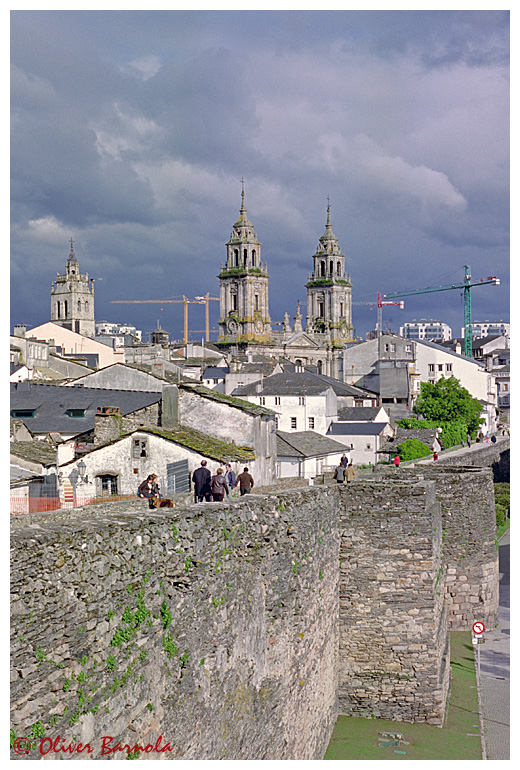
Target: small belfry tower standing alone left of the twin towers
[72,299]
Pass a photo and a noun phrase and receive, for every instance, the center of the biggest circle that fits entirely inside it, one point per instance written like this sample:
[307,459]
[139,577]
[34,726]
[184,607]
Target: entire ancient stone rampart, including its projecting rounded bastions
[228,628]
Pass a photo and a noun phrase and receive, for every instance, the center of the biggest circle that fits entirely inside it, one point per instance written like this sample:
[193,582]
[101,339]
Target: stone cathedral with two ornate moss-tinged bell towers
[244,303]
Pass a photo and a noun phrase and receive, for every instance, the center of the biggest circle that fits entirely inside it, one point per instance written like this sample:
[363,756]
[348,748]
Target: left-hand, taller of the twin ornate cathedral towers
[244,287]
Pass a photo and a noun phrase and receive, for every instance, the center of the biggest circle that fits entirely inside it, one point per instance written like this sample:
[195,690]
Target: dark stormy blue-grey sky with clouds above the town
[131,132]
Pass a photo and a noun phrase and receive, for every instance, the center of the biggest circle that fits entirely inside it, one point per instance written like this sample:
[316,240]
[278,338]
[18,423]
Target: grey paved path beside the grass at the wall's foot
[495,669]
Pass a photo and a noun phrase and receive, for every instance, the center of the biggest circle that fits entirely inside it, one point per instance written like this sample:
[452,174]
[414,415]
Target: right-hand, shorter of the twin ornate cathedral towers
[329,291]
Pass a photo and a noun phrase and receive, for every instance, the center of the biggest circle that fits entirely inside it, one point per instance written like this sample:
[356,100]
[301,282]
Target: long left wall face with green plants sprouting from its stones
[214,626]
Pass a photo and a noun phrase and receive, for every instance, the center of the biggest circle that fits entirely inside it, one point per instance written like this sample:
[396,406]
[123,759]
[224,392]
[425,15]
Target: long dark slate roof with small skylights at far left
[51,402]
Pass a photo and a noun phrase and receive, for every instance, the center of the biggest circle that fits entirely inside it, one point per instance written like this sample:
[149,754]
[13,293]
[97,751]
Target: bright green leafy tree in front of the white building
[446,400]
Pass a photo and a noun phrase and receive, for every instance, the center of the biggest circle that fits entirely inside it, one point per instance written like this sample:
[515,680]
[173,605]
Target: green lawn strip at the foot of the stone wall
[358,738]
